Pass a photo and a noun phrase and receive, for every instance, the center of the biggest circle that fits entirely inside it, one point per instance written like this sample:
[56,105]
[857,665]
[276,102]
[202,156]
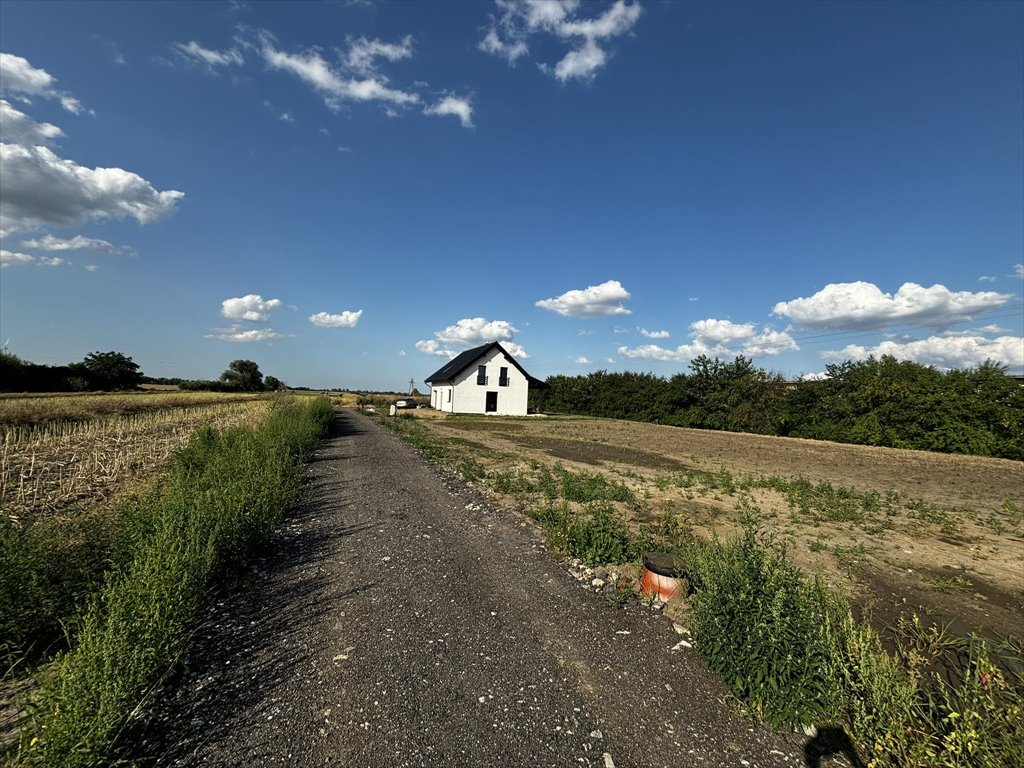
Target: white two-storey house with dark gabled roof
[484,380]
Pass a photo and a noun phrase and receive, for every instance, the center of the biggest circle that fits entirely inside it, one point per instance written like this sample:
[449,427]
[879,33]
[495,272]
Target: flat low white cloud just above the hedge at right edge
[943,352]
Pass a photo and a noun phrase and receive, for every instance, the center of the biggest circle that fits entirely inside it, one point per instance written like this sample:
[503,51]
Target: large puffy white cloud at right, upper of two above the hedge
[864,306]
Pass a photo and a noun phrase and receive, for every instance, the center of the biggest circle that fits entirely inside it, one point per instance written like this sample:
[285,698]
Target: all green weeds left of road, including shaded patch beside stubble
[116,590]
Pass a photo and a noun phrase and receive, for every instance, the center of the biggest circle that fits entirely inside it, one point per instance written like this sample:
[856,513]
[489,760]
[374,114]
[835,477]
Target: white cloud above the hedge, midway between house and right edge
[718,338]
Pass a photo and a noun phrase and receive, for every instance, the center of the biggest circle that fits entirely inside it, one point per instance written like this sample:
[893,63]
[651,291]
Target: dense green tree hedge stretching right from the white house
[885,402]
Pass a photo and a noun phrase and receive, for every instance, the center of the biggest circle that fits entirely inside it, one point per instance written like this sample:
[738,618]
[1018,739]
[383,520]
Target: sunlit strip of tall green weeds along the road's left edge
[225,496]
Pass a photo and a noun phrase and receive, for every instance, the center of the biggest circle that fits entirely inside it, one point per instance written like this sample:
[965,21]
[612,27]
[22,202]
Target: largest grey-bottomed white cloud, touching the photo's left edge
[44,190]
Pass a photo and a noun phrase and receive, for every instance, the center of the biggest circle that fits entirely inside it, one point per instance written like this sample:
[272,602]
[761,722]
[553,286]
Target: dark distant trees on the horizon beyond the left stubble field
[111,372]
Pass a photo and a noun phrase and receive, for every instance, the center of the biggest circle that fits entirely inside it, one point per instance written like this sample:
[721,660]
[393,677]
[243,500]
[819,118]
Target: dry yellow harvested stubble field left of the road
[62,451]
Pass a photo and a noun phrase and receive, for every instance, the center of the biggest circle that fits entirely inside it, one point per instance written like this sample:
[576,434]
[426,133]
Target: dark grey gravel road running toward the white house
[402,622]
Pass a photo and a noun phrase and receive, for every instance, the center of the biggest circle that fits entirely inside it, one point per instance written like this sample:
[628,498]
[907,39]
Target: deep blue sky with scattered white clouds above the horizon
[350,193]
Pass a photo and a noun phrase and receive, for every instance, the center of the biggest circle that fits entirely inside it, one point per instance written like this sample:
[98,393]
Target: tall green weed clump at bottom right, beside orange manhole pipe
[793,652]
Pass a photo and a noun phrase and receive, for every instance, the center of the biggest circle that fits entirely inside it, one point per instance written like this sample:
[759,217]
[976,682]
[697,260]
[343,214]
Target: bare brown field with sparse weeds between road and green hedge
[903,531]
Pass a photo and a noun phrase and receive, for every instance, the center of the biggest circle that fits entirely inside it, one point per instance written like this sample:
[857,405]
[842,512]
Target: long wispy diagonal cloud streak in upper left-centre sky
[334,86]
